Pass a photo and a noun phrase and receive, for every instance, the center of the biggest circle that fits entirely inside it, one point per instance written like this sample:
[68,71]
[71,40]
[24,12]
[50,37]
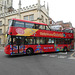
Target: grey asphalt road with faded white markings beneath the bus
[38,64]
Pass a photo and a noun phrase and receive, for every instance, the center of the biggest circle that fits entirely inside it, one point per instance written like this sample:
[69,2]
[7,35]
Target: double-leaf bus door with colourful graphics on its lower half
[18,45]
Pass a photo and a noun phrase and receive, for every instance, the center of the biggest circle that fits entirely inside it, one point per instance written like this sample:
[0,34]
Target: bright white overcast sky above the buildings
[59,10]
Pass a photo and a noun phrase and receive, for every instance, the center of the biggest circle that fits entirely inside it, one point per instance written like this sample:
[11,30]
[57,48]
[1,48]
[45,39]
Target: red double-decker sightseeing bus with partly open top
[27,37]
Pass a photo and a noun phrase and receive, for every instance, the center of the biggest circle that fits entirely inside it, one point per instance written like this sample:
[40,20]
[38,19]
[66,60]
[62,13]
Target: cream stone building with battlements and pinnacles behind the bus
[37,13]
